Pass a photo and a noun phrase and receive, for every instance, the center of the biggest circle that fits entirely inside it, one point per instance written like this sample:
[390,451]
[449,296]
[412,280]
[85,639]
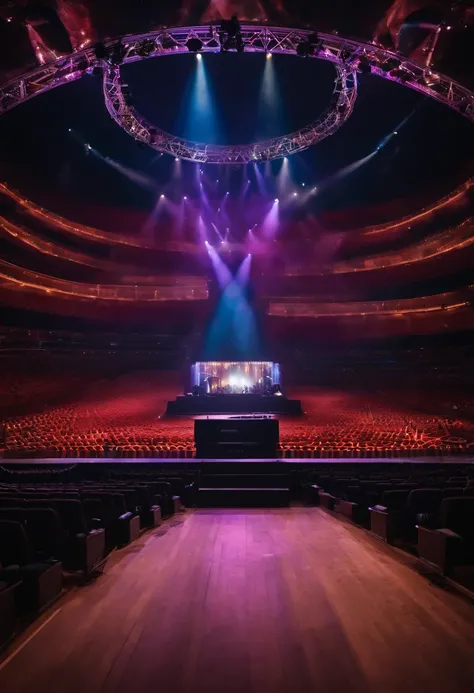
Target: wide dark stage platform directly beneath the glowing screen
[190,405]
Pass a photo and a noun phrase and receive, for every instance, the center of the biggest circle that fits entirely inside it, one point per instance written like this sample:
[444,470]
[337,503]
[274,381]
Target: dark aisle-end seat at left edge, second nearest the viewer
[39,582]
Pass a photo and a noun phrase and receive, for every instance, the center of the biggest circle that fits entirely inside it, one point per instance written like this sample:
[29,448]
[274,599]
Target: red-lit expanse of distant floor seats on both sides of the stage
[118,417]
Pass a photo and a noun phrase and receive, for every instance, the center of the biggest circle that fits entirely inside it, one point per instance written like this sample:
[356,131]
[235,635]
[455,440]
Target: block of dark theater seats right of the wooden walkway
[430,513]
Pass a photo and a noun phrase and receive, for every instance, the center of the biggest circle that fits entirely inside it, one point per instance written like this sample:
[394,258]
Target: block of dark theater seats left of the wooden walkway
[49,529]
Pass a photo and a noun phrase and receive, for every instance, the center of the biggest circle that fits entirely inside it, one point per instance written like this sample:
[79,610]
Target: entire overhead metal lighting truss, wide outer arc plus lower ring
[348,56]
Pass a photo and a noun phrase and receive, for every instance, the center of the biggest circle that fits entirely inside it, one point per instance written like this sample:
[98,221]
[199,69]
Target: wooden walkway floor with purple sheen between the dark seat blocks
[267,601]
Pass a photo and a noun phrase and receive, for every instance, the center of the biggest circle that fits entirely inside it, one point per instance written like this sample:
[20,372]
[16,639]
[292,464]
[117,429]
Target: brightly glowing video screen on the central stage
[236,377]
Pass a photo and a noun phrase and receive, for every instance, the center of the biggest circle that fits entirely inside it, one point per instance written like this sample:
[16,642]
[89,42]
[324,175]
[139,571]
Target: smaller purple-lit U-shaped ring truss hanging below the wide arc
[340,108]
